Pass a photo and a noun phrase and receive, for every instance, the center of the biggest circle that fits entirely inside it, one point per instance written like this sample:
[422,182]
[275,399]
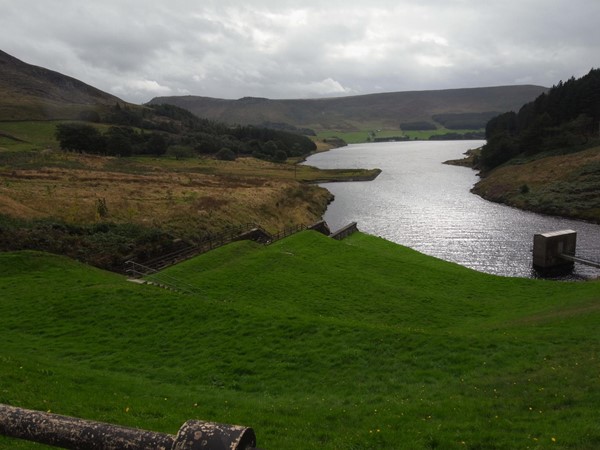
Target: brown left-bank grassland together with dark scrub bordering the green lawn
[104,210]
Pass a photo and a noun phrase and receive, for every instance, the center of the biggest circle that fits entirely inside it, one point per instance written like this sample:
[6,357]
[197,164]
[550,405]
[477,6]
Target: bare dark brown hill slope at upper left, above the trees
[34,93]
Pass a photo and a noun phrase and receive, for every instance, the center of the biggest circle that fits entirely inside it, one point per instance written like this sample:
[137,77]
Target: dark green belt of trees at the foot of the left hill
[166,129]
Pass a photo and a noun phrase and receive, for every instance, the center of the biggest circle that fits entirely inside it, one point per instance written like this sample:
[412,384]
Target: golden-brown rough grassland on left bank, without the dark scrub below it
[193,194]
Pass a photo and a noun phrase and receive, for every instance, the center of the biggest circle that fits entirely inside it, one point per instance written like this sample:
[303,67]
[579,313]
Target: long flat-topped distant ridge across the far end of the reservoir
[387,110]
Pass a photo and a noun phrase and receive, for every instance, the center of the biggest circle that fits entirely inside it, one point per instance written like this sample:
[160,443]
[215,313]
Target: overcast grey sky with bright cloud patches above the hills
[139,49]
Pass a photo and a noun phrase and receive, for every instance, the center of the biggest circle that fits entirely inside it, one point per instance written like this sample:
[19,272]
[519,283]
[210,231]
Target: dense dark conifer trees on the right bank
[566,117]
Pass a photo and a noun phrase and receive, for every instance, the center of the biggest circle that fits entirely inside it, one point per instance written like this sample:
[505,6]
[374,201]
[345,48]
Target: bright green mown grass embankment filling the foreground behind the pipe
[315,343]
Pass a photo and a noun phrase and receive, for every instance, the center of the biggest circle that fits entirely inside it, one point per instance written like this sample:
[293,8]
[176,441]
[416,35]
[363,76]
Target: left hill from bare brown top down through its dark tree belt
[30,93]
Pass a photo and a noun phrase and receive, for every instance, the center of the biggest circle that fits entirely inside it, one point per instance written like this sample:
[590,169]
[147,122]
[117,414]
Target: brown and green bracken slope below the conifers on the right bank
[565,185]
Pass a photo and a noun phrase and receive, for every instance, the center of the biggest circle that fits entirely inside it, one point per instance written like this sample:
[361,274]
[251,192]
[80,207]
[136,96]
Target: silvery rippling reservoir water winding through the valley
[419,202]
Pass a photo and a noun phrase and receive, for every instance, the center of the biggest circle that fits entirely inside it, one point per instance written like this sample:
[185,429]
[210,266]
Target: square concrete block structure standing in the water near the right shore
[549,248]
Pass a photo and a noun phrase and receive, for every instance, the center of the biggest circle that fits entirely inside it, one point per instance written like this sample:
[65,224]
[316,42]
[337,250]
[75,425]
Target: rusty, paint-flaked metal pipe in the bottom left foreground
[79,434]
